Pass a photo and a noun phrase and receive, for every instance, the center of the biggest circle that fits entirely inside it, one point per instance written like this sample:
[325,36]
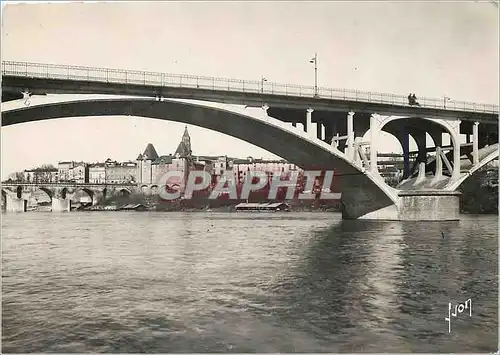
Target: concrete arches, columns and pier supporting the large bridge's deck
[427,192]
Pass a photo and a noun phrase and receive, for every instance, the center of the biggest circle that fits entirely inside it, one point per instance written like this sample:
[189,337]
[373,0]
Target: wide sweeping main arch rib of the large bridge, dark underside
[268,133]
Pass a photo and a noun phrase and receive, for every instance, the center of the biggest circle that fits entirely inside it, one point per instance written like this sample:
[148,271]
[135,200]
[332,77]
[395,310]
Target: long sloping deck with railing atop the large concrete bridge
[57,78]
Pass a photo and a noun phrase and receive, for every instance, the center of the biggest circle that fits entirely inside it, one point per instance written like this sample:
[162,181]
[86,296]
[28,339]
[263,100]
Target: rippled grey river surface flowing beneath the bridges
[257,282]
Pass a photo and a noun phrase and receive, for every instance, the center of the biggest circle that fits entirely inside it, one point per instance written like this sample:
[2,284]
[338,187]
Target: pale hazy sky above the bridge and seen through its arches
[433,49]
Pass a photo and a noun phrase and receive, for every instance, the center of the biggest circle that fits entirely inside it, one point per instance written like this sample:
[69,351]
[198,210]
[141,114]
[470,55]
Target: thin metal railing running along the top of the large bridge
[68,72]
